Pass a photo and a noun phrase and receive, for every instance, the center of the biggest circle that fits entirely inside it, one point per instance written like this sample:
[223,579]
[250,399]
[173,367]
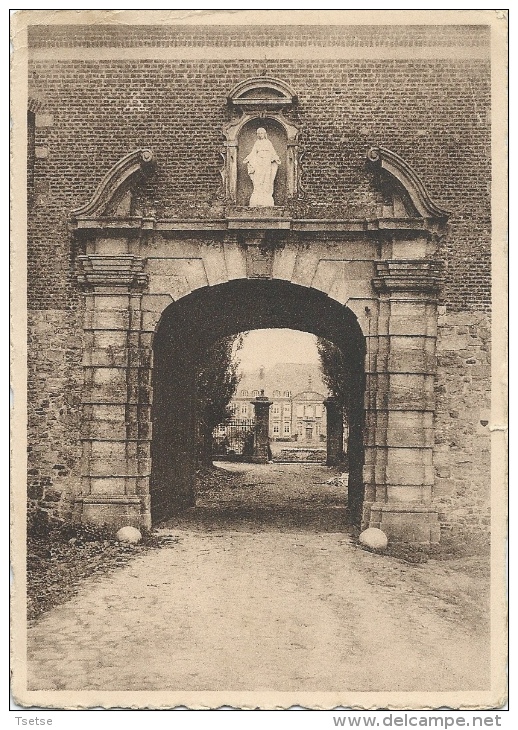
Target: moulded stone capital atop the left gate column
[123,271]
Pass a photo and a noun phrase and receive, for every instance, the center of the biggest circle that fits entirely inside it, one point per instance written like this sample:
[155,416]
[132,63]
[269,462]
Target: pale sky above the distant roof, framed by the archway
[268,347]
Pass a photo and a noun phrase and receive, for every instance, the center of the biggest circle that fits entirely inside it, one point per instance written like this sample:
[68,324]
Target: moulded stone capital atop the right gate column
[418,275]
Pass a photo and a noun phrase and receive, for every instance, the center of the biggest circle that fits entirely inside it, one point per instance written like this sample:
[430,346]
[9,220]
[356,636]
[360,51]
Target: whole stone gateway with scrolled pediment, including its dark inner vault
[160,291]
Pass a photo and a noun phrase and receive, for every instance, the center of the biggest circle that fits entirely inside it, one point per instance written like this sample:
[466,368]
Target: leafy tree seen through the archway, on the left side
[216,381]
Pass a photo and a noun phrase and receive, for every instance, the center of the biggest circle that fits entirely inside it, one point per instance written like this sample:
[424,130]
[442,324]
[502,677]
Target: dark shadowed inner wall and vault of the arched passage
[188,327]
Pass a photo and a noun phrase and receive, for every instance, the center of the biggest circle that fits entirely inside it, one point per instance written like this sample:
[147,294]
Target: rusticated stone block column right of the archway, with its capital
[398,471]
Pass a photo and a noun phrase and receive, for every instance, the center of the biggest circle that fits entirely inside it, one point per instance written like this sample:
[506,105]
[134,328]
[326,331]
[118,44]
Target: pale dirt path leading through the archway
[249,595]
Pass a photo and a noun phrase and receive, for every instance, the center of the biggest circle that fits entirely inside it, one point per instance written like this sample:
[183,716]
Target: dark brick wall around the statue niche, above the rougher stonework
[434,113]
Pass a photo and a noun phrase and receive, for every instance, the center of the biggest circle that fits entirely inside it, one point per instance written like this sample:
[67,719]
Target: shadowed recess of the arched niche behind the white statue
[247,137]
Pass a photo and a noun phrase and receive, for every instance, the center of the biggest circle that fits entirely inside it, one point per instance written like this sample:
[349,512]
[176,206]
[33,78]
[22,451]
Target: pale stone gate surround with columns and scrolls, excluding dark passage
[397,311]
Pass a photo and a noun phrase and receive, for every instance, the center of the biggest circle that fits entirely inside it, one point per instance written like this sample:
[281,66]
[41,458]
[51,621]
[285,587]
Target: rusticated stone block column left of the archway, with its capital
[117,394]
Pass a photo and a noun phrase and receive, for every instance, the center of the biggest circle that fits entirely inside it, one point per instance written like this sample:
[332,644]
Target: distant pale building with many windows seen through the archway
[298,393]
